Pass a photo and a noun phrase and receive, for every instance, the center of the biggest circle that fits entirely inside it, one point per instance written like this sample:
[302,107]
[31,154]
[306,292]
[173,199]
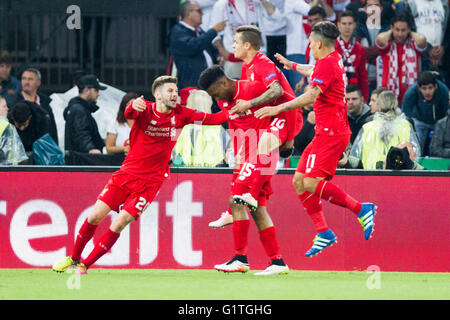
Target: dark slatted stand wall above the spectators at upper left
[123,42]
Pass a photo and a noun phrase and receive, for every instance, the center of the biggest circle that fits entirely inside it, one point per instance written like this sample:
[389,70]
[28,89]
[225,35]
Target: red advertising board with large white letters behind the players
[41,211]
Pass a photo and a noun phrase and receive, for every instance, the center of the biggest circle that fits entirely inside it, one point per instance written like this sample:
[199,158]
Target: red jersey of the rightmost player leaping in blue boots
[330,107]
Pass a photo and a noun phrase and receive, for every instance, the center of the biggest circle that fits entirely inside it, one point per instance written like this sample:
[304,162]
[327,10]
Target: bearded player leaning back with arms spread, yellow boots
[152,138]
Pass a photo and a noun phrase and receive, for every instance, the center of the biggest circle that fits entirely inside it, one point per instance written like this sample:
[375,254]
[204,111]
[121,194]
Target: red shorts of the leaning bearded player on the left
[134,193]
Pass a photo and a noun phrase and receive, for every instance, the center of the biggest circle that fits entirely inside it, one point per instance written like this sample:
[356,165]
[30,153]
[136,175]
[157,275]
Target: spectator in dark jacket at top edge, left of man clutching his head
[371,18]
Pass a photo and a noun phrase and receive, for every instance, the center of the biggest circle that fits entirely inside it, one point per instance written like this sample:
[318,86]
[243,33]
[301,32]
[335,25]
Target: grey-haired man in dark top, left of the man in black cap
[30,83]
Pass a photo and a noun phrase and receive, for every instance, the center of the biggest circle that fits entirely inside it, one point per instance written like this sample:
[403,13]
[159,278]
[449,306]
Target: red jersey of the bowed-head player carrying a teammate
[245,129]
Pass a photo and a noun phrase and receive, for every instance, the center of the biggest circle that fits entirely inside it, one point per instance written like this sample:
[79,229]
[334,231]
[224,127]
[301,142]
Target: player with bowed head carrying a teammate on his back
[245,131]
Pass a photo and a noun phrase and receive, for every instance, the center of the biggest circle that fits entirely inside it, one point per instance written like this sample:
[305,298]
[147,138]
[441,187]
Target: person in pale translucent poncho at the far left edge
[11,148]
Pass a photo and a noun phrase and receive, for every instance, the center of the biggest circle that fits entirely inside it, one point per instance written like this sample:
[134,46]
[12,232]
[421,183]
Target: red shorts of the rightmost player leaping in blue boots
[320,158]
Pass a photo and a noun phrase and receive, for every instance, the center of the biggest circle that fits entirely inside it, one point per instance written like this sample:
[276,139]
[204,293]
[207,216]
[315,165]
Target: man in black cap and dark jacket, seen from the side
[81,130]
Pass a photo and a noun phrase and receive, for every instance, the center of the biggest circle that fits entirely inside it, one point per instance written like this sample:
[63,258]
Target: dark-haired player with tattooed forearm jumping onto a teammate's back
[283,128]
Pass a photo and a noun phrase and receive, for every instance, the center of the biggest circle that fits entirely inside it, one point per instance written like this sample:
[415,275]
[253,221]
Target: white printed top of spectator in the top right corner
[430,17]
